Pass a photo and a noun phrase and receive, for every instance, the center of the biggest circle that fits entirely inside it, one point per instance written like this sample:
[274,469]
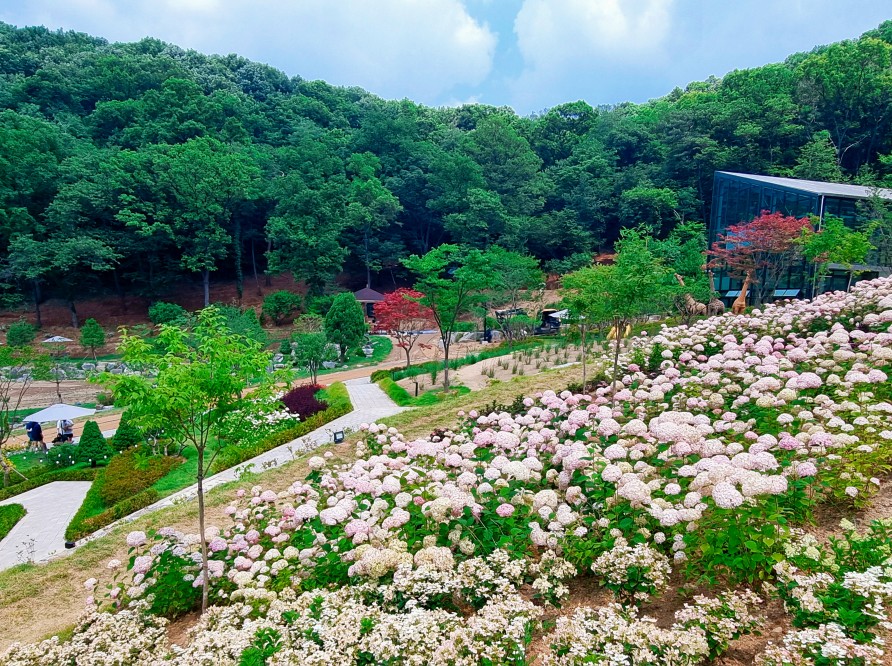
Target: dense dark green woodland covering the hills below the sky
[130,168]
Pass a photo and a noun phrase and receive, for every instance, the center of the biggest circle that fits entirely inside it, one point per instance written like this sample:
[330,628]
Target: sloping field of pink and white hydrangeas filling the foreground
[704,470]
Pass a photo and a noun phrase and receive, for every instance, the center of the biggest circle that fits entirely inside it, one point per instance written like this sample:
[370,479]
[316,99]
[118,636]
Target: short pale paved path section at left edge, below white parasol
[41,532]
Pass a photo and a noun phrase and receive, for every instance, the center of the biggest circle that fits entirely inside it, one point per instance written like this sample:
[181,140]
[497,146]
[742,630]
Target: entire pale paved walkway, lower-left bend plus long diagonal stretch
[51,507]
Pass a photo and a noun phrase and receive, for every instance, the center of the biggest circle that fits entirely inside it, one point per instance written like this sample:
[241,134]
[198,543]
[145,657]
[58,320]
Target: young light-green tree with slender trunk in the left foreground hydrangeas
[198,376]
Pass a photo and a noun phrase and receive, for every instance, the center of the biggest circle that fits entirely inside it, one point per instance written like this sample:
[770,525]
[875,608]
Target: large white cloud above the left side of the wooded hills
[420,49]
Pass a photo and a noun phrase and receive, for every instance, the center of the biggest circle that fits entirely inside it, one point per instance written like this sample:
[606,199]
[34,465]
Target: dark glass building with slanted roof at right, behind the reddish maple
[741,197]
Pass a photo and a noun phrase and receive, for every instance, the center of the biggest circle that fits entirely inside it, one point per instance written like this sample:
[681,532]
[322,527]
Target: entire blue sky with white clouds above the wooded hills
[528,54]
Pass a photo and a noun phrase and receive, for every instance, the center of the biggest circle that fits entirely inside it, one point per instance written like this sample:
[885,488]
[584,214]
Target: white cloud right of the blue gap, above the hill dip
[563,40]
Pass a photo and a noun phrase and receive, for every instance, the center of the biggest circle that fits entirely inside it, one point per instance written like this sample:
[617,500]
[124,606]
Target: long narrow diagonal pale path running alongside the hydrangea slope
[370,403]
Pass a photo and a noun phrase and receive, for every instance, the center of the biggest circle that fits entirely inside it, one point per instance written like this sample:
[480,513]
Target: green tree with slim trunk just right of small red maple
[453,281]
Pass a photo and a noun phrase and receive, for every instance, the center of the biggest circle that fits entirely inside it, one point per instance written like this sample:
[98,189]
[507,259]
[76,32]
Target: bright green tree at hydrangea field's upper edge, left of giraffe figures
[637,285]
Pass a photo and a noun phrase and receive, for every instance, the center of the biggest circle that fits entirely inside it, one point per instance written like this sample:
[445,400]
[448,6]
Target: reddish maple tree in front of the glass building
[763,250]
